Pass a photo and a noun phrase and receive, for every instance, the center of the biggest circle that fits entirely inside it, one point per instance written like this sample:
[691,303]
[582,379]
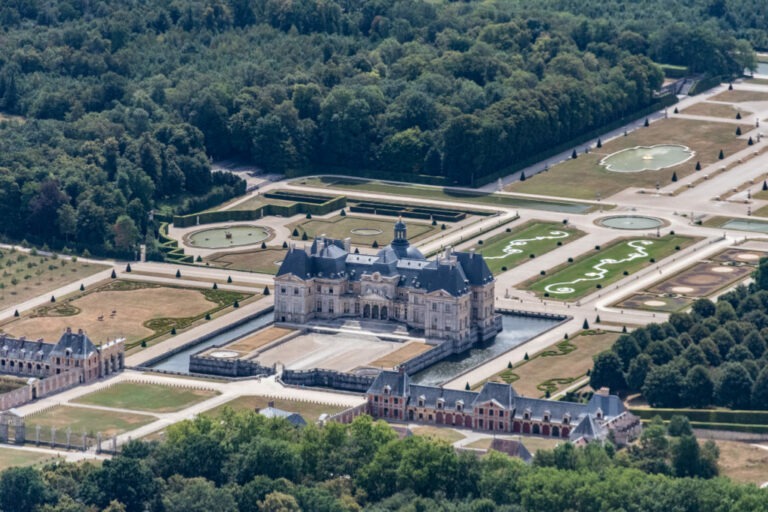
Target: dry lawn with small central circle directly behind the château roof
[382,229]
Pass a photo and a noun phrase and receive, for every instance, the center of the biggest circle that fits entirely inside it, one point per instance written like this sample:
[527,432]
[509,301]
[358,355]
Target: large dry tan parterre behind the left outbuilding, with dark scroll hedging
[120,309]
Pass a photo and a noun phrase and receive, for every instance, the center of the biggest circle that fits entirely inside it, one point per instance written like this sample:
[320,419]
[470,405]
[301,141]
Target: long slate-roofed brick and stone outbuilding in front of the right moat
[498,408]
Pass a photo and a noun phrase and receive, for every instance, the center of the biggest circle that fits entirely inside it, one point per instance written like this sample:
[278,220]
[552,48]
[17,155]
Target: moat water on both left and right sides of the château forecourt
[517,330]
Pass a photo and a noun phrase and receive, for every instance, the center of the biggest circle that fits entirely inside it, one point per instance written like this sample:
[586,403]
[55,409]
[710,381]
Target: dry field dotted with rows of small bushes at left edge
[25,276]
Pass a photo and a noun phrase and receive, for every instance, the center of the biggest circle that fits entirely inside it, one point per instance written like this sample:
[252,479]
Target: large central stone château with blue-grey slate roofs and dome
[450,297]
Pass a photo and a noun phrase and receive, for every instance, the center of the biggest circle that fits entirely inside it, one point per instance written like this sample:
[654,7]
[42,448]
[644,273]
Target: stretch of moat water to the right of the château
[517,330]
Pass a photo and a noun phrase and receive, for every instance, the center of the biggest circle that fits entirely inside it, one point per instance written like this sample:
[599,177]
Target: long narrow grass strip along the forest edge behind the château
[450,196]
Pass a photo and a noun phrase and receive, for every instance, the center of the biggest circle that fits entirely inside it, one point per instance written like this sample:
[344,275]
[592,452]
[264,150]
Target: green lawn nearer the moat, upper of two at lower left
[146,397]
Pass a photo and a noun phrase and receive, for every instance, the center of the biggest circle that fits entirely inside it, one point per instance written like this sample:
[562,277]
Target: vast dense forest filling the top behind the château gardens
[115,108]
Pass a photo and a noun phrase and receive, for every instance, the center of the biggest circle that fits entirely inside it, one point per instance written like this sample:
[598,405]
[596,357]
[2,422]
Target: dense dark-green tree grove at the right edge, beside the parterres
[714,355]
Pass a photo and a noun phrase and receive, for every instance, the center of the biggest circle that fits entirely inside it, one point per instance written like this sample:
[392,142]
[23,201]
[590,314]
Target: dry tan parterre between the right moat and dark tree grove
[558,366]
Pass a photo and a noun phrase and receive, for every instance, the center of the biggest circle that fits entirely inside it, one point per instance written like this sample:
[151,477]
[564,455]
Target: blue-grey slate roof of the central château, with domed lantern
[328,258]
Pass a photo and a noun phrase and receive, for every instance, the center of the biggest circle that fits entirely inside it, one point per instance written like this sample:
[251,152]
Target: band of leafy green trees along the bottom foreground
[245,462]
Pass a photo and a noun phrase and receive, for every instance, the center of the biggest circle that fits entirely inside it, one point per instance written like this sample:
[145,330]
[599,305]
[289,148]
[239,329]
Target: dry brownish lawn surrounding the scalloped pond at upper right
[584,177]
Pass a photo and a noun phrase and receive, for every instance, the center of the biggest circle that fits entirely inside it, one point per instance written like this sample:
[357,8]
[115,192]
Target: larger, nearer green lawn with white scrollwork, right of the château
[603,267]
